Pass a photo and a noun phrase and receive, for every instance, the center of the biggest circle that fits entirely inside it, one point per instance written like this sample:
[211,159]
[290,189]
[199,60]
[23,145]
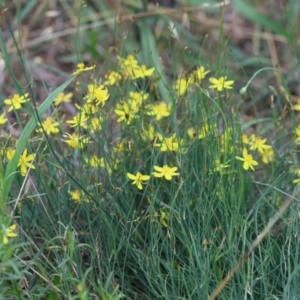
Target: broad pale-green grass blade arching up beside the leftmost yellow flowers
[21,143]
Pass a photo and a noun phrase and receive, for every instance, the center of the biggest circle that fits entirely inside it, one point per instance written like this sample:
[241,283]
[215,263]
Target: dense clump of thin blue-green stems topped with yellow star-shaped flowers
[150,190]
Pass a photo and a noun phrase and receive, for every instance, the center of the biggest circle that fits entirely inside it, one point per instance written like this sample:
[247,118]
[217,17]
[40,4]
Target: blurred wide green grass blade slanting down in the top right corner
[254,15]
